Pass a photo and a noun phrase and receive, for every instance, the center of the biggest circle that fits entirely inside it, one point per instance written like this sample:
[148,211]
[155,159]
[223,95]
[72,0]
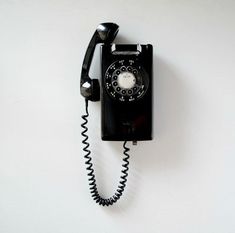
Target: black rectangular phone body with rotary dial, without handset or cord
[126,92]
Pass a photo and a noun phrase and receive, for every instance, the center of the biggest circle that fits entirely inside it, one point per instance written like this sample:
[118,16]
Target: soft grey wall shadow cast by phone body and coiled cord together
[168,149]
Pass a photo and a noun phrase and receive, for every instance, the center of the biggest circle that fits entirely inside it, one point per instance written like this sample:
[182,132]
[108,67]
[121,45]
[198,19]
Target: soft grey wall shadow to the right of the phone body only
[167,149]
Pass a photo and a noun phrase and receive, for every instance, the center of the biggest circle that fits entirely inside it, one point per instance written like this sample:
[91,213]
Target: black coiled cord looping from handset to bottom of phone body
[92,181]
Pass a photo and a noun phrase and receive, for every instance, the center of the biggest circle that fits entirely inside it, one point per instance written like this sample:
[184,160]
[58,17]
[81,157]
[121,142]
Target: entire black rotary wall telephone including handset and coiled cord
[125,90]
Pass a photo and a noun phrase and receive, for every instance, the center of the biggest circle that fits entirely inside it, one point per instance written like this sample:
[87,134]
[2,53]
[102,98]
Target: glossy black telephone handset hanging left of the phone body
[105,33]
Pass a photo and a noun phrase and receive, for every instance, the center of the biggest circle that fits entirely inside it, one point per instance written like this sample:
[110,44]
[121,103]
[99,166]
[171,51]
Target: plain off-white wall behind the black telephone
[182,181]
